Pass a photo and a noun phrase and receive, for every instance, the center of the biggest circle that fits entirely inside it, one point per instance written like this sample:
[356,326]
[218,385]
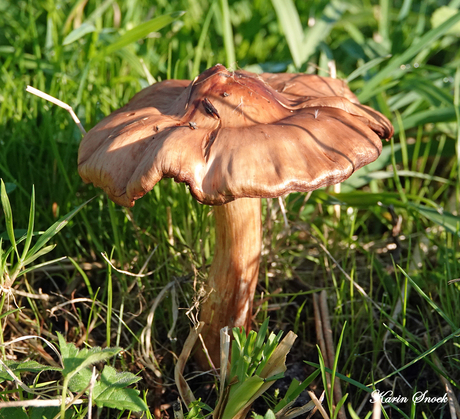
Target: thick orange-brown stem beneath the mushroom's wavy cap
[234,270]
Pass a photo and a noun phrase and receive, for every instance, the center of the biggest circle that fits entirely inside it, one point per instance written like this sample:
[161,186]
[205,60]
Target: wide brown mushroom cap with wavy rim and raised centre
[230,135]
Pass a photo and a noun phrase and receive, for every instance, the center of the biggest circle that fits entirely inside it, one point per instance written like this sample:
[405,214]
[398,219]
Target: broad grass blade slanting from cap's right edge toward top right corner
[424,42]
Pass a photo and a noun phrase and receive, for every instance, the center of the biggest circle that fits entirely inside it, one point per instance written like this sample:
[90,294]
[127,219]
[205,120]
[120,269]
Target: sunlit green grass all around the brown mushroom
[397,235]
